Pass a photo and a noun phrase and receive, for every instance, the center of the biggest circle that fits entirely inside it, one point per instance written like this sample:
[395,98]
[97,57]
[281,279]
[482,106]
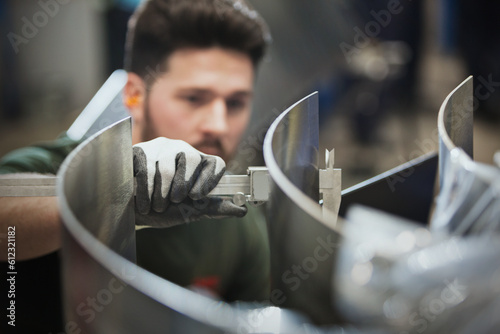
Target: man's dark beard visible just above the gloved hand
[208,145]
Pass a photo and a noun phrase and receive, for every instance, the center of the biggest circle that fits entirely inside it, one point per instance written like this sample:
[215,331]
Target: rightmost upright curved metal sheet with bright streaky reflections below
[468,202]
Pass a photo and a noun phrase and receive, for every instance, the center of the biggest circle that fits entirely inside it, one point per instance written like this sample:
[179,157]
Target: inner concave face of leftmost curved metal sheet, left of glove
[95,190]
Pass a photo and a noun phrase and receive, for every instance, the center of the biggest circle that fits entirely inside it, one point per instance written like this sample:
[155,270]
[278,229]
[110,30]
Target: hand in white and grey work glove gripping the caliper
[172,182]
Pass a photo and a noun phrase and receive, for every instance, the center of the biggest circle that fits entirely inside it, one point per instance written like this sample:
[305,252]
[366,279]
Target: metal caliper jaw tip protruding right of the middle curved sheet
[330,186]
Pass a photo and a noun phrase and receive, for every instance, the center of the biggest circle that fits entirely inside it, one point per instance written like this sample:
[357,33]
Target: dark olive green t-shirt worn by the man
[229,257]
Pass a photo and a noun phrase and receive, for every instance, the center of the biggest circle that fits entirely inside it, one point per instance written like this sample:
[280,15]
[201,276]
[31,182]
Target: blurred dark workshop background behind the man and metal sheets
[382,69]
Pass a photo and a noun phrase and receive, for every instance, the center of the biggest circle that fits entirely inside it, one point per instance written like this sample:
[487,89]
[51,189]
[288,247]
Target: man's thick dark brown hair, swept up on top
[160,27]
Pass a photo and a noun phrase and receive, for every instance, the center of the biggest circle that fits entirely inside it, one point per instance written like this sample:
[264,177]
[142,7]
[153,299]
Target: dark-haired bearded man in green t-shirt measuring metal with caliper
[204,55]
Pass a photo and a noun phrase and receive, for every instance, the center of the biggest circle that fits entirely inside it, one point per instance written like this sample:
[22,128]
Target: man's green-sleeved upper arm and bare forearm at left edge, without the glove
[36,219]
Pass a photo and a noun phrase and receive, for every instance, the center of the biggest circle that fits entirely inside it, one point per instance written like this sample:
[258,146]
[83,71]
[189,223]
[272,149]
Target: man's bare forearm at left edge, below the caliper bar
[37,226]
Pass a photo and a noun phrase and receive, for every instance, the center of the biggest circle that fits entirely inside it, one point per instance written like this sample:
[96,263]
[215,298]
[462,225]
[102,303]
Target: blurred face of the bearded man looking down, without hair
[203,98]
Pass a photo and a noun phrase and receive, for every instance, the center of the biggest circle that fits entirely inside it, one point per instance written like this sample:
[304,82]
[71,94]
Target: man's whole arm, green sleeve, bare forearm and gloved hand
[181,175]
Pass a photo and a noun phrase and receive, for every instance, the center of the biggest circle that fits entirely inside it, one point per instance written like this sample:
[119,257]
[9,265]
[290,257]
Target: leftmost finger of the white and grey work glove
[144,187]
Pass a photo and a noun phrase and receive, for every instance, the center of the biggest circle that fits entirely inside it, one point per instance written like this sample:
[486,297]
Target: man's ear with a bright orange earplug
[134,97]
